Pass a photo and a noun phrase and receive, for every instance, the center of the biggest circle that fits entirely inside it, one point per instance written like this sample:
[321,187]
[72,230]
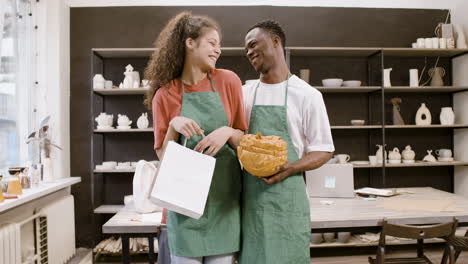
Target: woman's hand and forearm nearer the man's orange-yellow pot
[214,141]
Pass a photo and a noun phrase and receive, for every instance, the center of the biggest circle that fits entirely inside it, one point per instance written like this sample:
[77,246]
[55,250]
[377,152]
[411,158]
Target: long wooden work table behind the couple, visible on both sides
[342,214]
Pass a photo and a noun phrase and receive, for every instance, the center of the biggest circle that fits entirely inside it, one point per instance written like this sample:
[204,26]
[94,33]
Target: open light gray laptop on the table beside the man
[331,180]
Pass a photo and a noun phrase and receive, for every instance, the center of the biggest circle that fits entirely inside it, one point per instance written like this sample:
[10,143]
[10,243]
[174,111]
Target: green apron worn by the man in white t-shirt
[276,217]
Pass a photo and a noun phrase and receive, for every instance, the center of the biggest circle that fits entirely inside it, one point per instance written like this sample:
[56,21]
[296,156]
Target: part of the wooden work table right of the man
[358,212]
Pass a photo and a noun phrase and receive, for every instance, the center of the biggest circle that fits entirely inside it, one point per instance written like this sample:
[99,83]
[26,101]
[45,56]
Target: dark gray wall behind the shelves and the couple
[137,27]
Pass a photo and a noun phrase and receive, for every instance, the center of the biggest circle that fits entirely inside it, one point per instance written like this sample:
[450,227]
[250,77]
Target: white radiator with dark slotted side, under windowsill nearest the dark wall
[60,225]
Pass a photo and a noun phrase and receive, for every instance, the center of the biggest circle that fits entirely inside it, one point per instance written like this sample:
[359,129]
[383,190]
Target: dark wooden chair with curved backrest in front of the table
[413,232]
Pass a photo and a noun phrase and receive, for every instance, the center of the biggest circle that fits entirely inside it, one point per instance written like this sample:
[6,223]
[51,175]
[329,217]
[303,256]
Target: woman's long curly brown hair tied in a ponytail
[167,61]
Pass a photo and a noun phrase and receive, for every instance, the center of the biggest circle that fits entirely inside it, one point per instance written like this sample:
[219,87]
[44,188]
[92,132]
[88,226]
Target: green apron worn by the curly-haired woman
[218,230]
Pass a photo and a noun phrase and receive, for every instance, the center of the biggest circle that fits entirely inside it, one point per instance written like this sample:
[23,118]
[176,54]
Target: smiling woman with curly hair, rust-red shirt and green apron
[193,100]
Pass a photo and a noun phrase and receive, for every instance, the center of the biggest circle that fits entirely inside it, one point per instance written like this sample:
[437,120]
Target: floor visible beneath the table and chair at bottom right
[434,254]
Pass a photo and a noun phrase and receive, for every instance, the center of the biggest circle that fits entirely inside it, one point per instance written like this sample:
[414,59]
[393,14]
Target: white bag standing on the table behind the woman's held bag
[143,180]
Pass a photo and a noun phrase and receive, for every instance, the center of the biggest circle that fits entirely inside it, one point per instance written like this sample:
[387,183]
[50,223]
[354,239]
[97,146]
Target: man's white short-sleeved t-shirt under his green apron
[308,123]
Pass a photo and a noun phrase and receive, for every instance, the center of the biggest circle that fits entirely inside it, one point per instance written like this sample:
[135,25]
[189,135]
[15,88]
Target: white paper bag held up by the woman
[183,180]
